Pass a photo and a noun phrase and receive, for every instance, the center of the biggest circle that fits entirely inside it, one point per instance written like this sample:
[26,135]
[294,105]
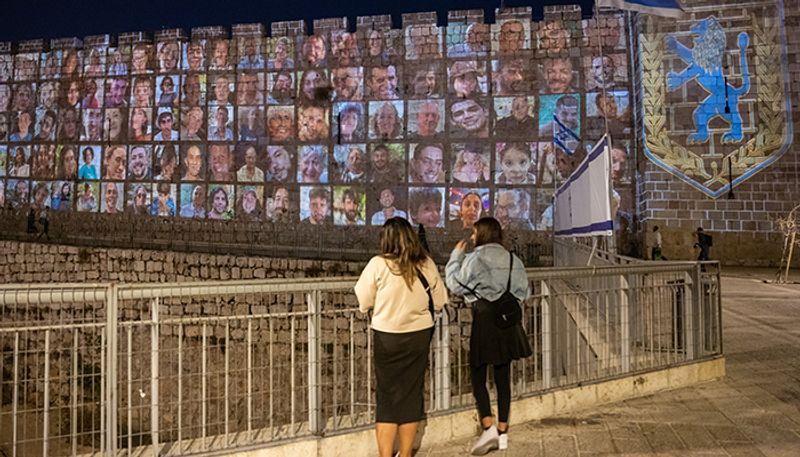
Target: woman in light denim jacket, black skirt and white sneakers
[482,276]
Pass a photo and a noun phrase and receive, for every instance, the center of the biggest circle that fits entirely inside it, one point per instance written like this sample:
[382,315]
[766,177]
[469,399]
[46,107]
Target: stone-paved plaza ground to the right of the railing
[753,411]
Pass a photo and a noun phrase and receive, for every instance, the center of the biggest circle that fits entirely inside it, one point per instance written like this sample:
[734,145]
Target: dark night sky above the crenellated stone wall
[28,19]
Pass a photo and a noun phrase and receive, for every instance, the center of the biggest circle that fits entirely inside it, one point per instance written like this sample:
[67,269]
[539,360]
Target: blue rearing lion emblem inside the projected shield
[705,65]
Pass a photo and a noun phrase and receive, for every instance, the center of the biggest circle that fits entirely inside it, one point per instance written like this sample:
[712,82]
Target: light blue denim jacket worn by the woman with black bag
[486,270]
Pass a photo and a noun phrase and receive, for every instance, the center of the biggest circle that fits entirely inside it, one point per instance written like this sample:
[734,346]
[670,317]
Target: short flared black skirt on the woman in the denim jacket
[492,345]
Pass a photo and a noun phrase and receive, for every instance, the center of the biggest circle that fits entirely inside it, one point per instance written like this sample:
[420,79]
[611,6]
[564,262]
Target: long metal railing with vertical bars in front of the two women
[177,369]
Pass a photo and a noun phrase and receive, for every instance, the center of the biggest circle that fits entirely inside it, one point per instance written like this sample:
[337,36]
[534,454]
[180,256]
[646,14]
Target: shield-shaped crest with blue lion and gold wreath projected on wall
[714,95]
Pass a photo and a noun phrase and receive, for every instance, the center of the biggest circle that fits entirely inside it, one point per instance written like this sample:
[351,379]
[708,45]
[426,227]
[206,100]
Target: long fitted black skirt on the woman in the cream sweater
[400,361]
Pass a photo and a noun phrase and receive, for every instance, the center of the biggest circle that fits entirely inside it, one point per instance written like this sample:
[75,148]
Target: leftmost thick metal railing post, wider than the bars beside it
[112,312]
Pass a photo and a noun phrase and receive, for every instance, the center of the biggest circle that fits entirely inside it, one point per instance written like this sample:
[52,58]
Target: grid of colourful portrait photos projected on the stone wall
[441,125]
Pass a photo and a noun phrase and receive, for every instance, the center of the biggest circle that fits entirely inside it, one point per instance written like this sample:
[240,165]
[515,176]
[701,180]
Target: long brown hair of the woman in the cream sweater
[401,245]
